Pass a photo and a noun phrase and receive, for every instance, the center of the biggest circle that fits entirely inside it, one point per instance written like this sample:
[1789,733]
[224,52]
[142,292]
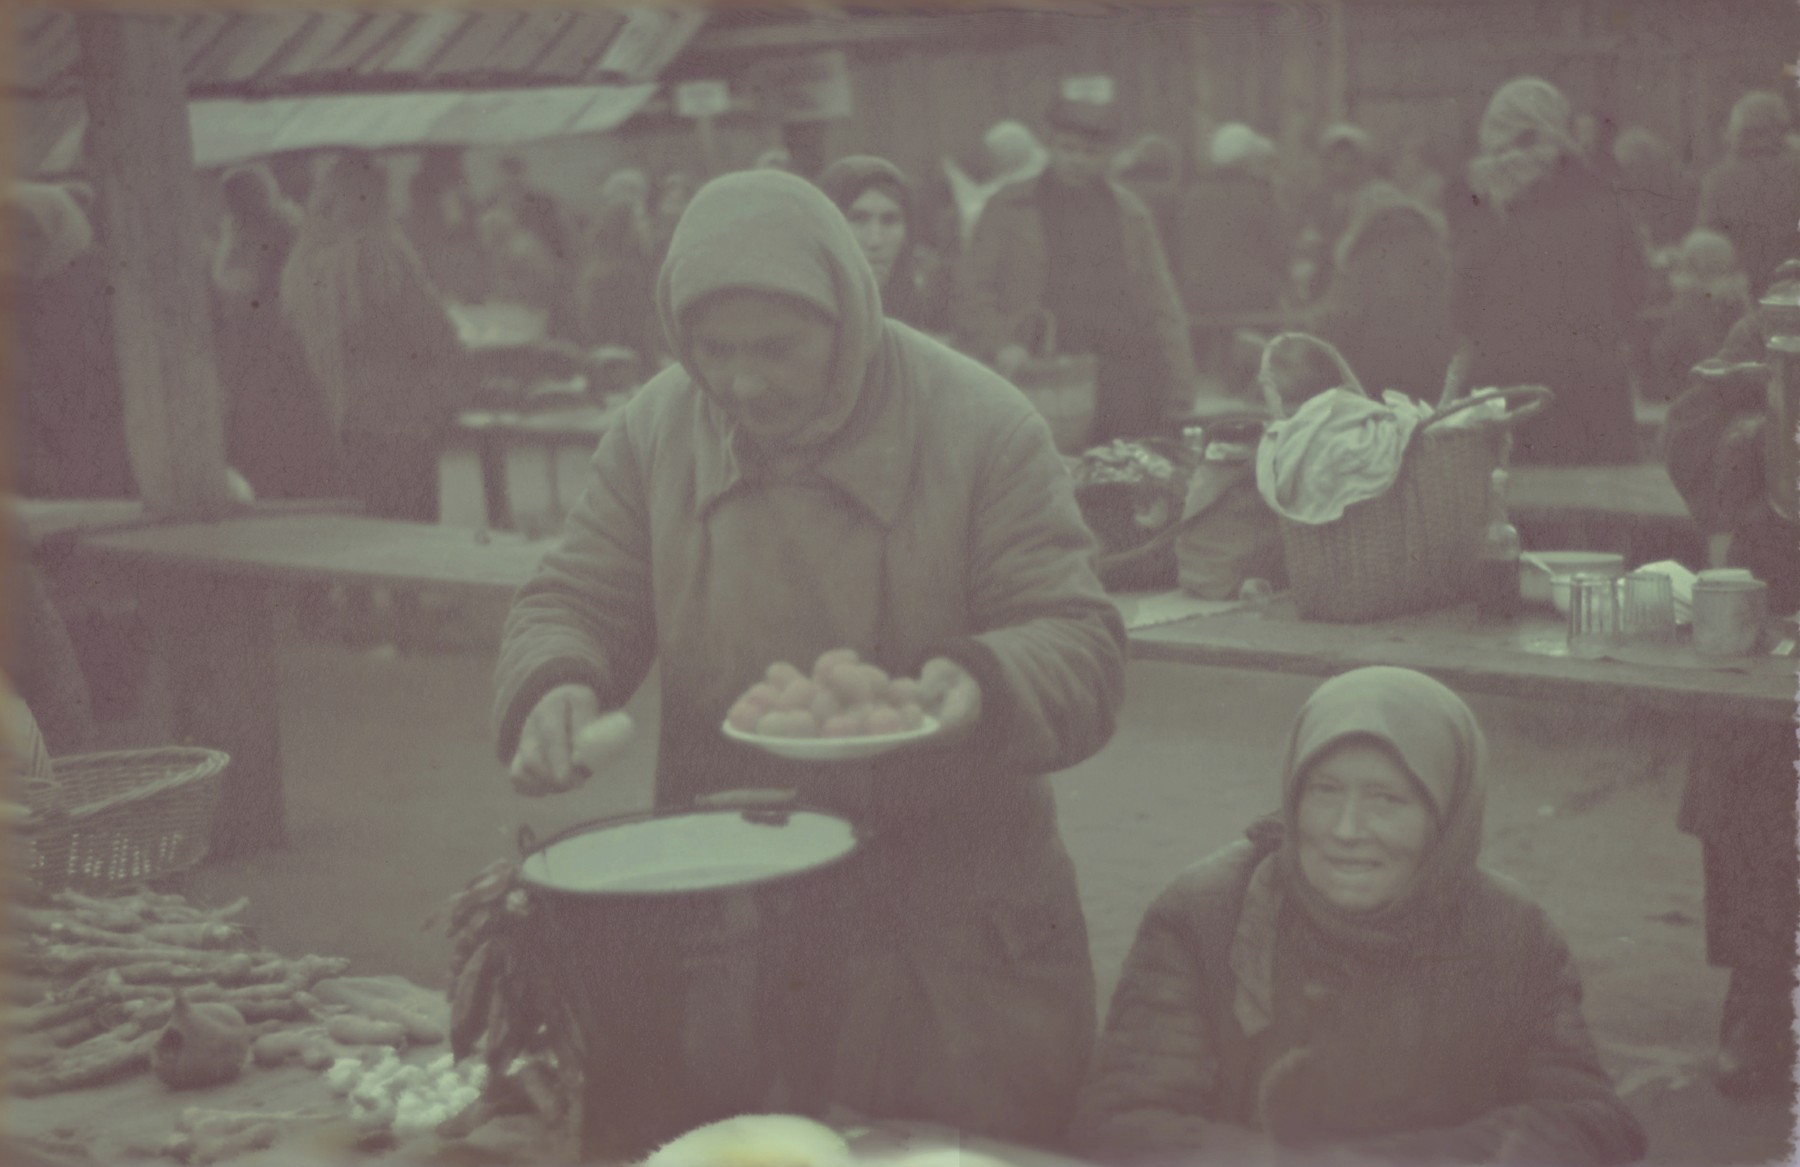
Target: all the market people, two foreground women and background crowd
[805,453]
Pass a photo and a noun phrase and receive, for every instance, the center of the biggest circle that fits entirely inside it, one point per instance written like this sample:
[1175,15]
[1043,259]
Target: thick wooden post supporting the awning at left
[141,149]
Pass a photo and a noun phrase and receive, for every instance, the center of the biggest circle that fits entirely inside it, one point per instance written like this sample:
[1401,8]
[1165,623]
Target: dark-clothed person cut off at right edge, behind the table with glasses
[1740,795]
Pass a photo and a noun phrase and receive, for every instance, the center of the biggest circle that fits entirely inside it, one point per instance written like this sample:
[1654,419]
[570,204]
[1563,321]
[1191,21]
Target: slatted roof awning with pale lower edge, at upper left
[264,84]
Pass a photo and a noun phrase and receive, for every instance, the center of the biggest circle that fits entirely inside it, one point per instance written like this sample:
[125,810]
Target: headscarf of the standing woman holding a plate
[777,233]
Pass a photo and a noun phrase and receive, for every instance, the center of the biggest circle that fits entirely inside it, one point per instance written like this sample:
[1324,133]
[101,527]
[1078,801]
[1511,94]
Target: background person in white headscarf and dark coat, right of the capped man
[1230,248]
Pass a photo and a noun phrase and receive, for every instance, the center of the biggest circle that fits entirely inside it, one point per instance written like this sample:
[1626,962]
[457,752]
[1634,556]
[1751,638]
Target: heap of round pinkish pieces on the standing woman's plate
[845,698]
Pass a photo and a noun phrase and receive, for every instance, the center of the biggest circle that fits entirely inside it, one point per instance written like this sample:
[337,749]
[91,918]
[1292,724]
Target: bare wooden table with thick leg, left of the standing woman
[204,590]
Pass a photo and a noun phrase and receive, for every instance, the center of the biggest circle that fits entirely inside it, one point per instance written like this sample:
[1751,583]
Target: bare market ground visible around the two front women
[395,801]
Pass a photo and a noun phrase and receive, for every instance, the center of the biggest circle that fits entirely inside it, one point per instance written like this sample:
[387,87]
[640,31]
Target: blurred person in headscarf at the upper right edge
[1752,197]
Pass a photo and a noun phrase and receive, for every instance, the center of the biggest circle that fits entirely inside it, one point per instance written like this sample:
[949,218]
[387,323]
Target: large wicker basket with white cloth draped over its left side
[1416,547]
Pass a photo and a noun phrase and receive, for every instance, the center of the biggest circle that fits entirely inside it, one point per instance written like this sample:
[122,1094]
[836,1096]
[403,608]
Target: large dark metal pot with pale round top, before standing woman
[654,928]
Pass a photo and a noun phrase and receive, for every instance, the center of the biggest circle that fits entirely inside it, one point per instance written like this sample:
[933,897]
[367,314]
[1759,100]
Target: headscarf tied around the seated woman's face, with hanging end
[1435,737]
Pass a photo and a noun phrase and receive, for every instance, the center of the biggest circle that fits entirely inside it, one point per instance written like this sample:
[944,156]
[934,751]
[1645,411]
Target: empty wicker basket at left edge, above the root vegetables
[120,819]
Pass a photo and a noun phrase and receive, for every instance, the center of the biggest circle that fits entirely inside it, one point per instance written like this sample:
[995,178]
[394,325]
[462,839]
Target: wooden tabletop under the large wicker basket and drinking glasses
[1522,660]
